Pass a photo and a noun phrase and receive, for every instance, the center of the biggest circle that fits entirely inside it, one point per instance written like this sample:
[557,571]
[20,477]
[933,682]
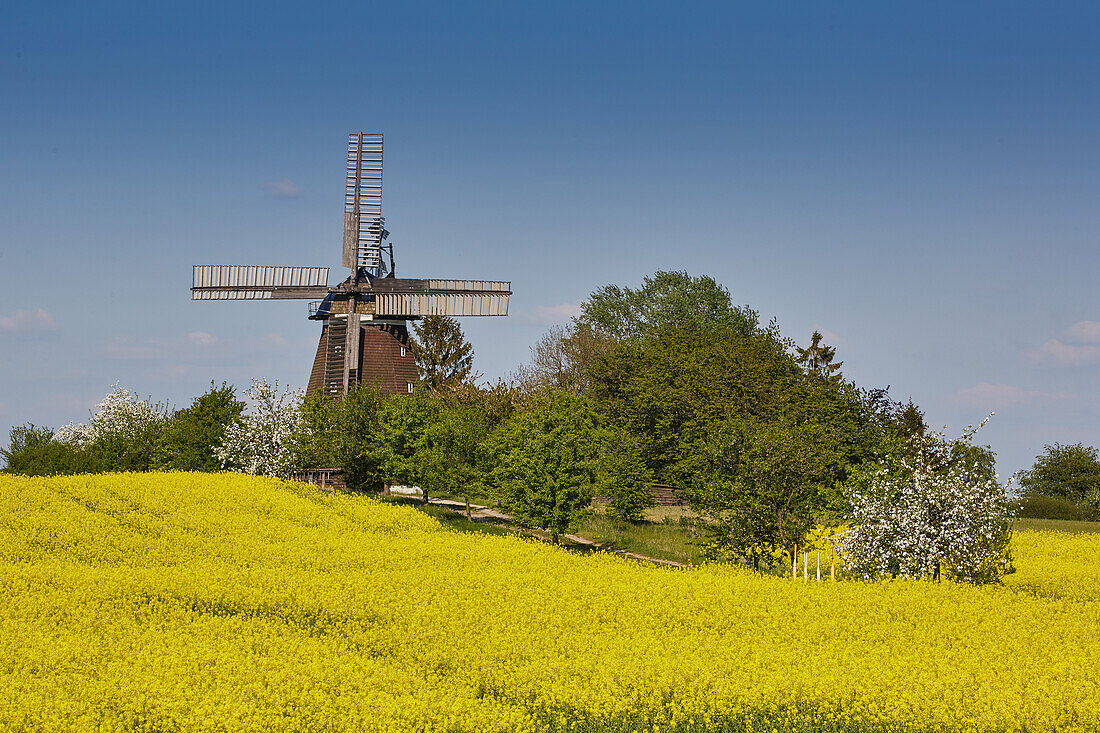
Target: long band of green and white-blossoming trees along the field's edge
[670,382]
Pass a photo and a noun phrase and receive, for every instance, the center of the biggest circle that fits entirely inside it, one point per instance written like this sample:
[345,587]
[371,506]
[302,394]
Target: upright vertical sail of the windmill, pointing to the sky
[364,223]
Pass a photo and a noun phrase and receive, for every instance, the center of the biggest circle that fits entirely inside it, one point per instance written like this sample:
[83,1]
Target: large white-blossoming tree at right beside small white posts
[937,509]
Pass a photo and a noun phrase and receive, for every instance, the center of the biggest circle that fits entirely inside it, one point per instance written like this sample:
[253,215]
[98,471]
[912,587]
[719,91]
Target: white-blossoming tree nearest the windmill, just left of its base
[260,443]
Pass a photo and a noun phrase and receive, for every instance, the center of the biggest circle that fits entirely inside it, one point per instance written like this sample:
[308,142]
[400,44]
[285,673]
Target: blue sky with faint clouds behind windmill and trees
[918,181]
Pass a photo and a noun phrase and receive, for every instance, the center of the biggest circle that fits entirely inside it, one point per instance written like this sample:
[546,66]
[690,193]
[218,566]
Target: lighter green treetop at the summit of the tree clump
[668,299]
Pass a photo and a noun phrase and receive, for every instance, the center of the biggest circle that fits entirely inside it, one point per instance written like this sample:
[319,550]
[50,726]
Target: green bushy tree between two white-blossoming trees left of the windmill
[192,435]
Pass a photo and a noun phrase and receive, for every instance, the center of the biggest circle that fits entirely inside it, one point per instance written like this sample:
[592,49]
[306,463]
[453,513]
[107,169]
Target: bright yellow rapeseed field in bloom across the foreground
[186,603]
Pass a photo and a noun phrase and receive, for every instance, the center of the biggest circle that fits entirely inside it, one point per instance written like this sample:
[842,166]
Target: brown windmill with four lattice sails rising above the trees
[365,320]
